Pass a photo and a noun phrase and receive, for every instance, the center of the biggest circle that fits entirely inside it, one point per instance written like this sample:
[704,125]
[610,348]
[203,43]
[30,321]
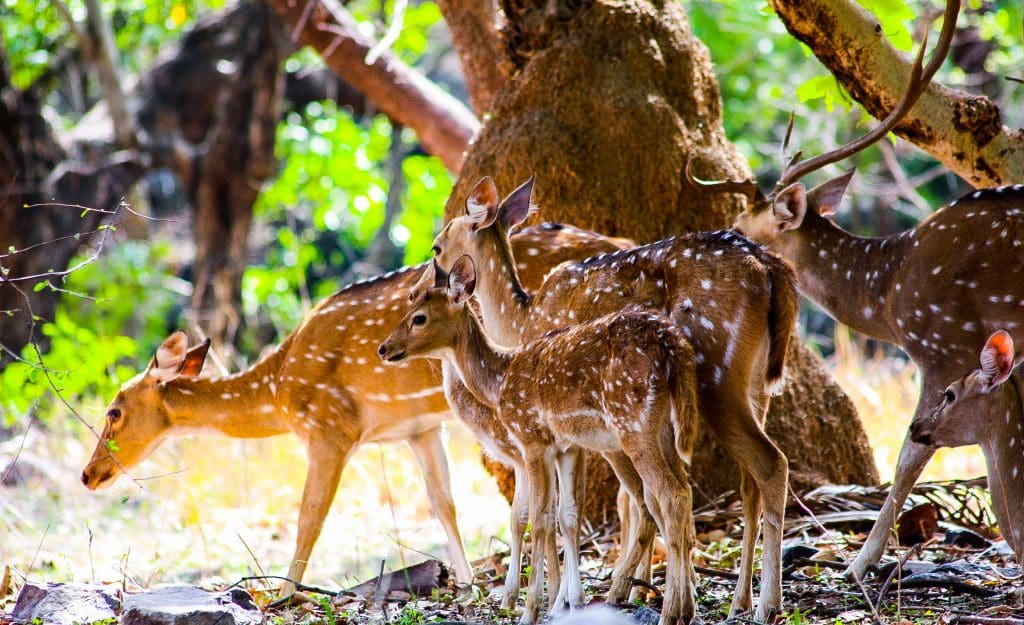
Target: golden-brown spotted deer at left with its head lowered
[324,385]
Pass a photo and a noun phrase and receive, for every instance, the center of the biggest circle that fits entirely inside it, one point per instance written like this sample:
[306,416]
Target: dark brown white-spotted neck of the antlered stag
[849,276]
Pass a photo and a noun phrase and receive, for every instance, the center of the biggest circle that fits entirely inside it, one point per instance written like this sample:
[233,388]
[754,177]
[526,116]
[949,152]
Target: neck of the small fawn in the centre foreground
[482,365]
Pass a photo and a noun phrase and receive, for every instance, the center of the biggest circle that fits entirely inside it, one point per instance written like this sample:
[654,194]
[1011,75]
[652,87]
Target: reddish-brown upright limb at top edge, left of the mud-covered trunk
[475,35]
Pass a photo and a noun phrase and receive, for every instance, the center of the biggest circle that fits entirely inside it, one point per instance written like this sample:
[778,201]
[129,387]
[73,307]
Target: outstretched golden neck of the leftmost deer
[240,406]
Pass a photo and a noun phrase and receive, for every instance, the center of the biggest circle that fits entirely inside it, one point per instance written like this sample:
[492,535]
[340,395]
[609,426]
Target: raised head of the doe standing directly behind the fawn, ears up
[487,224]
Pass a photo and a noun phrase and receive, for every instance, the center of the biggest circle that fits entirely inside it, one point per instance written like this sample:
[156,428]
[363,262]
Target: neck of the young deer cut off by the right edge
[1005,459]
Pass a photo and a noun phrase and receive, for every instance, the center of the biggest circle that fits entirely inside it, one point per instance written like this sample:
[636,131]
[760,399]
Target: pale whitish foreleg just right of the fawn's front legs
[571,486]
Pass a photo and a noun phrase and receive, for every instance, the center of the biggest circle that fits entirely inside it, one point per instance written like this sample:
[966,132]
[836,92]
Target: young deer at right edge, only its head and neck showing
[983,409]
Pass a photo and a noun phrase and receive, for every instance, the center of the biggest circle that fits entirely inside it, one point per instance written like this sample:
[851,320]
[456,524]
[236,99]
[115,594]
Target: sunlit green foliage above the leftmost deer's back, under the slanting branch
[326,205]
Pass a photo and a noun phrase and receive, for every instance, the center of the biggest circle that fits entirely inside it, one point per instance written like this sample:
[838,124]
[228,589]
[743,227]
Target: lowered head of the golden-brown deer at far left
[138,419]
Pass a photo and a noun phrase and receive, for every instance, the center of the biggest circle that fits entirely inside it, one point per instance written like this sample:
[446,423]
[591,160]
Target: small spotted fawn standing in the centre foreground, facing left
[624,385]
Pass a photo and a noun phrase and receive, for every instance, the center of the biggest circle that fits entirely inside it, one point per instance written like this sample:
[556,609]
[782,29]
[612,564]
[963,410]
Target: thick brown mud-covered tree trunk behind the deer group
[610,102]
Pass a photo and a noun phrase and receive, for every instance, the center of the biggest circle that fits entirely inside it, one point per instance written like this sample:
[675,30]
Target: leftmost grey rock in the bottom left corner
[66,604]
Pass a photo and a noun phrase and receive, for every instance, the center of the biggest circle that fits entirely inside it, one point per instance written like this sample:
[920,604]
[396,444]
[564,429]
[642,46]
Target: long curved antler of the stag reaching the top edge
[920,77]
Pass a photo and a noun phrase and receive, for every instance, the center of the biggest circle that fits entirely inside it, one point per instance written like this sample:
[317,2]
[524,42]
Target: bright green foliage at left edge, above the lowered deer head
[127,293]
